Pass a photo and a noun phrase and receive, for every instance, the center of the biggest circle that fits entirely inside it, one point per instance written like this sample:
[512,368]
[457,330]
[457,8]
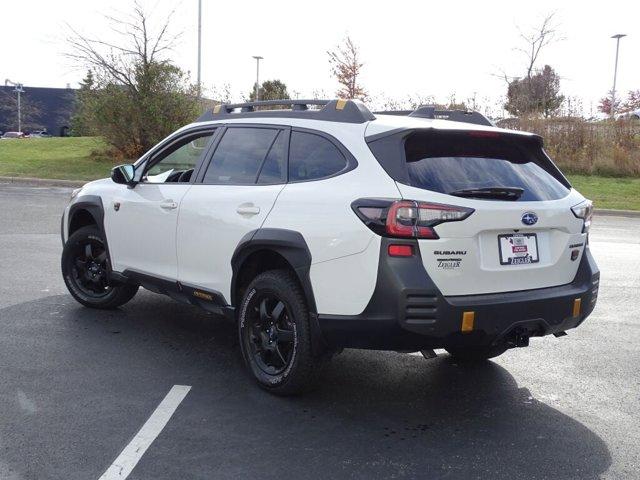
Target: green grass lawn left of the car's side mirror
[71,158]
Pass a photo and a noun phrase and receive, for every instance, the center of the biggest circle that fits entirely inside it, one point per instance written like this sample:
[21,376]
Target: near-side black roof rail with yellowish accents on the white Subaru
[348,111]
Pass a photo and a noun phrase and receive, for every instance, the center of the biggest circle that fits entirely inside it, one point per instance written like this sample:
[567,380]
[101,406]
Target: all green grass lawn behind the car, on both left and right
[82,158]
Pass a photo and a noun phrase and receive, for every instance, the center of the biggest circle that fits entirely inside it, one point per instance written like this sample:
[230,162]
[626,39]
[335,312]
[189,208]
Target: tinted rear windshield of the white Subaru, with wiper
[454,161]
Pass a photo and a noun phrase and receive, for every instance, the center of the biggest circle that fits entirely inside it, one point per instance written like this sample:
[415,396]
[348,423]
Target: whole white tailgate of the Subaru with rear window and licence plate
[522,233]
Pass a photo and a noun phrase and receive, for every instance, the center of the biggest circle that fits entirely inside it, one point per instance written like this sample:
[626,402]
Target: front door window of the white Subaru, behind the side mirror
[176,164]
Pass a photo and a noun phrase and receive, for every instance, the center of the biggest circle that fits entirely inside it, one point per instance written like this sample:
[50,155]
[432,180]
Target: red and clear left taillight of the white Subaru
[407,218]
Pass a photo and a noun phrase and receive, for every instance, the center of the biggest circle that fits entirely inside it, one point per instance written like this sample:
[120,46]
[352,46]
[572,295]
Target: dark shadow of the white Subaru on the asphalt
[375,414]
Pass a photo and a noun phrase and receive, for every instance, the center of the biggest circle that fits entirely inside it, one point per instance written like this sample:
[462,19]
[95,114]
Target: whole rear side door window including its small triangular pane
[240,155]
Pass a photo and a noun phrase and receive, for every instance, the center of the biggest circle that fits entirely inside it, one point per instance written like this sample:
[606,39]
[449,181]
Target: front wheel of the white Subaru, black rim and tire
[85,271]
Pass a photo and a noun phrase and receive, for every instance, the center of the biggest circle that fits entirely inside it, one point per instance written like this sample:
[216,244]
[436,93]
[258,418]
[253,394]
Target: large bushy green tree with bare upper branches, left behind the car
[135,95]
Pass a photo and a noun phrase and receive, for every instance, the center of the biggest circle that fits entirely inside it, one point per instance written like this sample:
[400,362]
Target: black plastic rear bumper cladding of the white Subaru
[407,311]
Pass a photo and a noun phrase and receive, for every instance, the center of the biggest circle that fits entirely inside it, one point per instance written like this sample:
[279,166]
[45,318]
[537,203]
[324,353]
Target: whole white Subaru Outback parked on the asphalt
[325,226]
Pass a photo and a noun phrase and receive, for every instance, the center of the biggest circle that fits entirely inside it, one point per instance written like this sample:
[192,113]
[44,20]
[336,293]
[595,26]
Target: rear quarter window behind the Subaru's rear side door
[312,156]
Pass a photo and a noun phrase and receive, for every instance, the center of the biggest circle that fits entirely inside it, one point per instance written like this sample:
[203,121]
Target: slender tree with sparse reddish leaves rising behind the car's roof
[346,66]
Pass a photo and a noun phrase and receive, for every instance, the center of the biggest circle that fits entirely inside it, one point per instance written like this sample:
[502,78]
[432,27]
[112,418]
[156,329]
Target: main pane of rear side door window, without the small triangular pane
[239,155]
